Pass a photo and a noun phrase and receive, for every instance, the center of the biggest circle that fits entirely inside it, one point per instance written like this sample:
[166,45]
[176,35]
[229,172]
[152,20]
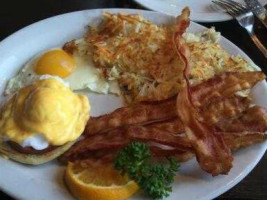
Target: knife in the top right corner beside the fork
[258,10]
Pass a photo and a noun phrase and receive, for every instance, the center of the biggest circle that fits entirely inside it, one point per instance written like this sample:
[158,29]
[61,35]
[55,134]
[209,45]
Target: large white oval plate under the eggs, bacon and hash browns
[45,182]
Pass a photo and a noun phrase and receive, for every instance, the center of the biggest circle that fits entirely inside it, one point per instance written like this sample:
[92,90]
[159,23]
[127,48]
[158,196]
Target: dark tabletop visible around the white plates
[14,15]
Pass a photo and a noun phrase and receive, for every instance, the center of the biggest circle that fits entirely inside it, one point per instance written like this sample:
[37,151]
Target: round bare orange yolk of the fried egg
[55,62]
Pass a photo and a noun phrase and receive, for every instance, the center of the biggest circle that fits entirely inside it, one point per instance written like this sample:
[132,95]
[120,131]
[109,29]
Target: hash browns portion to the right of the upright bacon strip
[208,58]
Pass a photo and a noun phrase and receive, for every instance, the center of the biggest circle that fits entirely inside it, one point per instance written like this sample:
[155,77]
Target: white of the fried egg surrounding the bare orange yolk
[85,76]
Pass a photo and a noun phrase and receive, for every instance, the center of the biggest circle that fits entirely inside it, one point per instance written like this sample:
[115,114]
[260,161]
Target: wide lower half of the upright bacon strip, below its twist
[212,153]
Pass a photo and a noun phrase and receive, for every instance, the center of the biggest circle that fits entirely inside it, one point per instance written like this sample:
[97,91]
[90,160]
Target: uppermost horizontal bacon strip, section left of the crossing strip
[140,113]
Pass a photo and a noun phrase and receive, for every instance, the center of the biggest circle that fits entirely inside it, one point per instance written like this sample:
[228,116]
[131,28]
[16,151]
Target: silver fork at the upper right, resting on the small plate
[244,17]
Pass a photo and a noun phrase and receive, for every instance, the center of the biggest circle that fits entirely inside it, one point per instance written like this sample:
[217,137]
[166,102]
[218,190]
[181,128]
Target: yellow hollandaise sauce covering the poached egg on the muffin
[46,107]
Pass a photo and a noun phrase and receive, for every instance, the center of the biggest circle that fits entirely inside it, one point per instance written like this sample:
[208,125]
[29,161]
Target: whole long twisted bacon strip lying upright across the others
[212,153]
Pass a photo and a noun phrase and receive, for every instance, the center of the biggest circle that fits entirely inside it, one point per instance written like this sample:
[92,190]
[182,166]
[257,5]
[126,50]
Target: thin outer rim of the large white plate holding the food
[212,195]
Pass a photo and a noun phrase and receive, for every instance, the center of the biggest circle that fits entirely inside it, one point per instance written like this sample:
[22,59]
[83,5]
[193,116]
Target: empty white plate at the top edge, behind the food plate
[202,10]
